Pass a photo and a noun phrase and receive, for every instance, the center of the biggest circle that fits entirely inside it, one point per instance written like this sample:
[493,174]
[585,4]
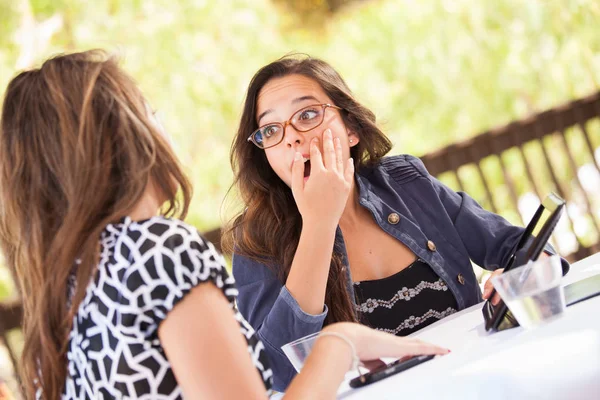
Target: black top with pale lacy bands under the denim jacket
[406,301]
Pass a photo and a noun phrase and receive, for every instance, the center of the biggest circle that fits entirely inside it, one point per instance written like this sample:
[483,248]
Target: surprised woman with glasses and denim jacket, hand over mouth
[332,230]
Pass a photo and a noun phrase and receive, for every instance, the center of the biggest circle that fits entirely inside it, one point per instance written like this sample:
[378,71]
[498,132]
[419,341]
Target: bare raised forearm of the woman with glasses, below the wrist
[307,279]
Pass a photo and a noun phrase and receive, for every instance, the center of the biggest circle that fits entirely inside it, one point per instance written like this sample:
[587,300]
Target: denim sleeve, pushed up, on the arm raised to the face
[274,313]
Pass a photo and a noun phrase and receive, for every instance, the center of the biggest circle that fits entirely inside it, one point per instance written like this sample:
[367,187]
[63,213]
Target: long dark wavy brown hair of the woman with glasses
[268,230]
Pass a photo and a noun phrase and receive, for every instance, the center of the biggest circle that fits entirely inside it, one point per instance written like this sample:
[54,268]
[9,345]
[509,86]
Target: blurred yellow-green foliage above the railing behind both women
[434,71]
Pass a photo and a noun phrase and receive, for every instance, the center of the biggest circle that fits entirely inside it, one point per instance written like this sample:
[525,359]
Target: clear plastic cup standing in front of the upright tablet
[533,292]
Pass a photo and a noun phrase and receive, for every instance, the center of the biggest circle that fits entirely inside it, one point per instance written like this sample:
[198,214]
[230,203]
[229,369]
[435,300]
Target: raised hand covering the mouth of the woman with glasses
[322,198]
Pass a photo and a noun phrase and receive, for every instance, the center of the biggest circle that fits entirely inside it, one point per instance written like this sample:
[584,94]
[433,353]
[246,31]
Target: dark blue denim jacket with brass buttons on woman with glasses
[446,229]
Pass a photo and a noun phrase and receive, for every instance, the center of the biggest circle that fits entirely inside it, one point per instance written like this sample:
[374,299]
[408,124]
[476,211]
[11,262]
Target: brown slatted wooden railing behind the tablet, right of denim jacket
[555,133]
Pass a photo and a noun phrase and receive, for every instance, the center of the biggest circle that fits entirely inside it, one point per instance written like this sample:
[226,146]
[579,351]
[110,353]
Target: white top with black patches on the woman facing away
[145,268]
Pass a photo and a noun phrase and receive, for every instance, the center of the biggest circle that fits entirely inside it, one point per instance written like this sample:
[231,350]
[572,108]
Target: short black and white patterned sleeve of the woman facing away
[169,262]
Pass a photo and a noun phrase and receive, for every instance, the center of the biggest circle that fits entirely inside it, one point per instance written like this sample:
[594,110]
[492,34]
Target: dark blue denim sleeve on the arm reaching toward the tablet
[489,238]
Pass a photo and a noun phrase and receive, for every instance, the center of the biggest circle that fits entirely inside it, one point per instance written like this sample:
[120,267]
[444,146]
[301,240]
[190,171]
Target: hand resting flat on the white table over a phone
[371,344]
